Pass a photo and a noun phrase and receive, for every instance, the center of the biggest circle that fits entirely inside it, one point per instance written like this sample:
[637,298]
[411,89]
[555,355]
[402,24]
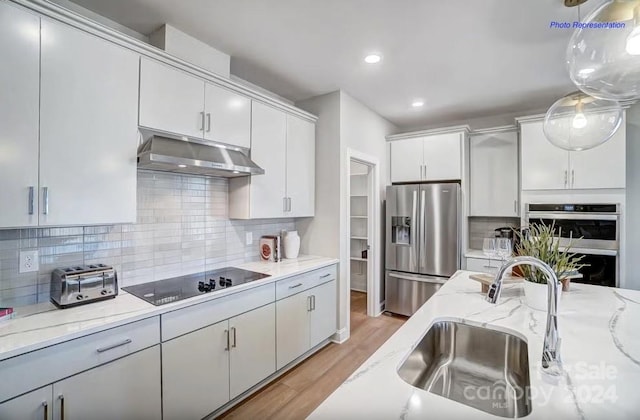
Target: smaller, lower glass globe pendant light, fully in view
[581,122]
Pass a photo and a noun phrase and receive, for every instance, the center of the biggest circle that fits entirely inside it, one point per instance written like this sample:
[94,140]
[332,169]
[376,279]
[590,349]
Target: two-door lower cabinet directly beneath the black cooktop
[204,369]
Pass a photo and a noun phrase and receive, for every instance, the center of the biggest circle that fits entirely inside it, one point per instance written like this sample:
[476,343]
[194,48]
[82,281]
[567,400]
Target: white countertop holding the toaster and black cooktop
[43,325]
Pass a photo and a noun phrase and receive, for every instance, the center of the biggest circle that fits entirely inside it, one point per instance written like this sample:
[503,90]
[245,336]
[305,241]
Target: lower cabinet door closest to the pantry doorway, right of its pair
[323,313]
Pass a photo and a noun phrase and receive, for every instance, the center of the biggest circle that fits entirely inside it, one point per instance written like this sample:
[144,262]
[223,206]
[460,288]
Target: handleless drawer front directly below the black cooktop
[198,316]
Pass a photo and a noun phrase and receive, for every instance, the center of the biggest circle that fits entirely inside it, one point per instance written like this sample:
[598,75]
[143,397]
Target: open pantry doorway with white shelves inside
[362,253]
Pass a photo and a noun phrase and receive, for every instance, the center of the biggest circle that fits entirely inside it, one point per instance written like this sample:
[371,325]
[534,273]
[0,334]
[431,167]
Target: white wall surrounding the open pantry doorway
[343,123]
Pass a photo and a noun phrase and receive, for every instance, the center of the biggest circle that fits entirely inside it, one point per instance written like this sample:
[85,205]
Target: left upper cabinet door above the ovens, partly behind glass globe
[544,166]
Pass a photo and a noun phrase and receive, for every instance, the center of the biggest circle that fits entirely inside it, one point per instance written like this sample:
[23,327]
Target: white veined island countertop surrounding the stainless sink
[600,350]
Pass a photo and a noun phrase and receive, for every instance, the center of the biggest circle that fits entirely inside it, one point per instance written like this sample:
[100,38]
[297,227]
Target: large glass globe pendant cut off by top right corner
[603,56]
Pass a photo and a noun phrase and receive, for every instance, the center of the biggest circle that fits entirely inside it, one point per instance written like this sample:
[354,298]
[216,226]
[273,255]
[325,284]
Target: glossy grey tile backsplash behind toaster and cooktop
[182,227]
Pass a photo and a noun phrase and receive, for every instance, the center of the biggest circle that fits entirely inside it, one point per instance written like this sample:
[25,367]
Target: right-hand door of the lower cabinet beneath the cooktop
[253,348]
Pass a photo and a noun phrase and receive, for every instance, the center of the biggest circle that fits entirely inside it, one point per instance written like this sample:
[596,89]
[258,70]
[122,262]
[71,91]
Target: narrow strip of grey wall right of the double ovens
[632,280]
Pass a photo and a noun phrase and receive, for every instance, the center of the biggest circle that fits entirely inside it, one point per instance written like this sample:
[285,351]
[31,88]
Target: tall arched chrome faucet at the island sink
[551,362]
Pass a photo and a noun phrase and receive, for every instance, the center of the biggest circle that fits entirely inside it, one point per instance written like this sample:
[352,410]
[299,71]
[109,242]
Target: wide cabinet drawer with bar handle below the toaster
[42,367]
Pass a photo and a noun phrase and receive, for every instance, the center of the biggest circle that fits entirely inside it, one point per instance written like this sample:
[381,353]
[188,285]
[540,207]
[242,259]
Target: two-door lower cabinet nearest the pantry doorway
[304,320]
